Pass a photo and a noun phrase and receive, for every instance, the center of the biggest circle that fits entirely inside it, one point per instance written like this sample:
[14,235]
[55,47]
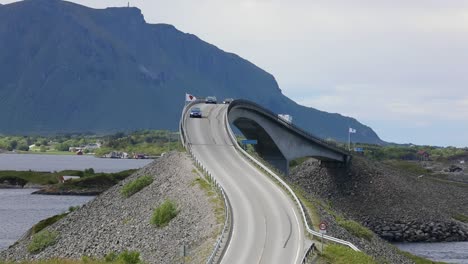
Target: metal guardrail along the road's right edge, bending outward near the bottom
[286,186]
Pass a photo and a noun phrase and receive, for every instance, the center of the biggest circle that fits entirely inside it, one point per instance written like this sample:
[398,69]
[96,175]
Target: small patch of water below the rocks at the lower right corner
[453,252]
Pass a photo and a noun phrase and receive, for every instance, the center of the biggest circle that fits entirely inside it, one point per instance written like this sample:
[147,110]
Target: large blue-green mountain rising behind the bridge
[70,68]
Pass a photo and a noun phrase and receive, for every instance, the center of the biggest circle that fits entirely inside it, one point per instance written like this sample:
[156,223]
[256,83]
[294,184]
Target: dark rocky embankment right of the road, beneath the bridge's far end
[396,205]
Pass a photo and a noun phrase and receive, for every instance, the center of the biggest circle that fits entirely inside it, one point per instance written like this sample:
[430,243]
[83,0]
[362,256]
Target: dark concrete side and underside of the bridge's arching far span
[279,142]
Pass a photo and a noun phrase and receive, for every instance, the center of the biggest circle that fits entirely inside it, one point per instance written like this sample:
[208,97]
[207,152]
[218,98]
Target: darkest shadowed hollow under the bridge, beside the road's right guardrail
[265,147]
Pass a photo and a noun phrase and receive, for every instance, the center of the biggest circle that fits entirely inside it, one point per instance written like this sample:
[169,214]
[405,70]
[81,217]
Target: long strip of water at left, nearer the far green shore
[38,162]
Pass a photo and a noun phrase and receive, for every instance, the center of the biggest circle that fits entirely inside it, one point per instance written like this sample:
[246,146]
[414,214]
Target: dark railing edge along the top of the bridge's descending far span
[270,114]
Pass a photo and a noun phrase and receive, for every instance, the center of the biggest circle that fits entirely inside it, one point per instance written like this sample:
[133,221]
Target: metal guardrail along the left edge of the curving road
[227,227]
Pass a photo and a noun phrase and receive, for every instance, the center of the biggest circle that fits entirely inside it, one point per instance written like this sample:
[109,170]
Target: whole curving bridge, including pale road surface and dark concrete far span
[267,225]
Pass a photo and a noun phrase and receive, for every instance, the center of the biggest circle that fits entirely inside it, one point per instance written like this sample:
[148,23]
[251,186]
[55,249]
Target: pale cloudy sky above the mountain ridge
[400,67]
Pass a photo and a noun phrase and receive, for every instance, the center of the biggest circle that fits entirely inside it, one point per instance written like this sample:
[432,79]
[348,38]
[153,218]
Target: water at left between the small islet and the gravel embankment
[19,210]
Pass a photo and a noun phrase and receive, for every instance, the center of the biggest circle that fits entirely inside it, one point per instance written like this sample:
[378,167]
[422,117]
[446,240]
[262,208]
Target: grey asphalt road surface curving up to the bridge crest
[266,225]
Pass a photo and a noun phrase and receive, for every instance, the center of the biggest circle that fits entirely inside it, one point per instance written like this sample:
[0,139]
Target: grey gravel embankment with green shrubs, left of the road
[113,223]
